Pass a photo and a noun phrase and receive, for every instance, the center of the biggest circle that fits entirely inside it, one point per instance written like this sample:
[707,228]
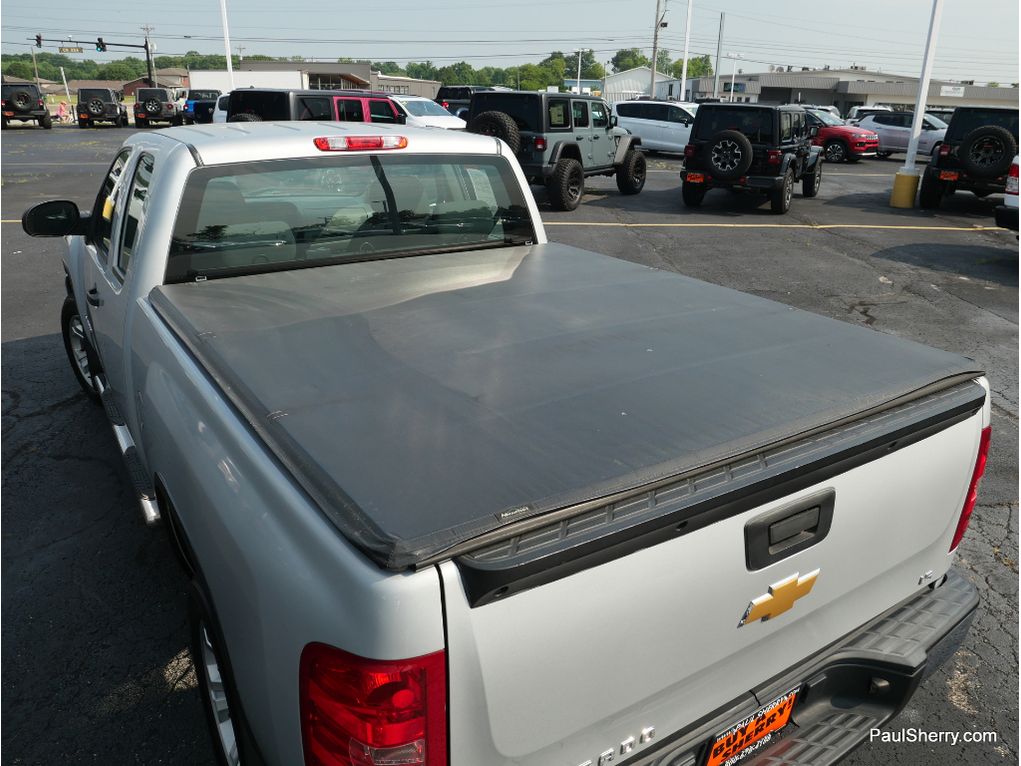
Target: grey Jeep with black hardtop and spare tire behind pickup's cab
[560,139]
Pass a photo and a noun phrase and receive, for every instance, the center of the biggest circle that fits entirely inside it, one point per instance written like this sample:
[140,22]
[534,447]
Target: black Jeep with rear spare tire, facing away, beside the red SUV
[749,148]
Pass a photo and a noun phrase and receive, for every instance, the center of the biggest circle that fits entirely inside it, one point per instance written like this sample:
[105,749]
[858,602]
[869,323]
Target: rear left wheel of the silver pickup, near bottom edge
[232,738]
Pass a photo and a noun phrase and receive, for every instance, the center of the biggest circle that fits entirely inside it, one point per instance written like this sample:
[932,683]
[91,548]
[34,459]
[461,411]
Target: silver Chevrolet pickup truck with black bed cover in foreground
[453,496]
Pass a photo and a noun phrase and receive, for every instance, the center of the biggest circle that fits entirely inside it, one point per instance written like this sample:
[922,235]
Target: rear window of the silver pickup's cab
[262,217]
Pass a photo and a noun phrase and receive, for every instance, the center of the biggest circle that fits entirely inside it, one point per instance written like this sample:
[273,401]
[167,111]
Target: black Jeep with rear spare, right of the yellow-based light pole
[976,155]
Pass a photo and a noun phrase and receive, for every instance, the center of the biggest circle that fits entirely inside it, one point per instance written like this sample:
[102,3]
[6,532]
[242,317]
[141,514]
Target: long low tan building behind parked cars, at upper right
[841,88]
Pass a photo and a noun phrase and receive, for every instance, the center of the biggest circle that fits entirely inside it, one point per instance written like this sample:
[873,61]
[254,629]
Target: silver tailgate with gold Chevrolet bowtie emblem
[569,668]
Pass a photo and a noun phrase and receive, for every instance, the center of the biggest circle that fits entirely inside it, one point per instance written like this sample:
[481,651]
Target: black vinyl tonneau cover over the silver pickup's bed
[422,402]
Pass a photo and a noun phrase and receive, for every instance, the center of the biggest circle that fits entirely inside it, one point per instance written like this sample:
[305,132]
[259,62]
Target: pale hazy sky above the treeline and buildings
[978,41]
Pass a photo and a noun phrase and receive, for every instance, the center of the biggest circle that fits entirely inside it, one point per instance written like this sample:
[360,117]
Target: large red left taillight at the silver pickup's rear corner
[359,712]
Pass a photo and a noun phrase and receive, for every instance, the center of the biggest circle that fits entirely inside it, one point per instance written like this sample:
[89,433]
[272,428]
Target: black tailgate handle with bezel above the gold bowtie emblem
[788,531]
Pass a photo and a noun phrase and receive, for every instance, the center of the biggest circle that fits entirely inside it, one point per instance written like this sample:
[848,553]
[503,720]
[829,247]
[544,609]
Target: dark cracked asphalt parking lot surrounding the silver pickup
[94,636]
